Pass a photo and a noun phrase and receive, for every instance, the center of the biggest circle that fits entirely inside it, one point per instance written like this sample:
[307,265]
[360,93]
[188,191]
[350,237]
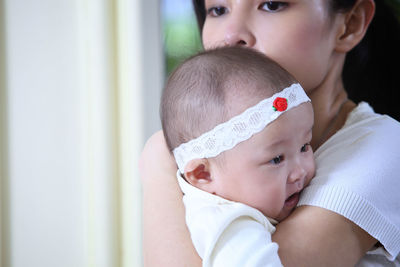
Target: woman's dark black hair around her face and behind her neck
[370,72]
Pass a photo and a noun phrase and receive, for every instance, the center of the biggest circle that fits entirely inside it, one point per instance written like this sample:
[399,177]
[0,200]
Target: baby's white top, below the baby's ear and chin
[227,233]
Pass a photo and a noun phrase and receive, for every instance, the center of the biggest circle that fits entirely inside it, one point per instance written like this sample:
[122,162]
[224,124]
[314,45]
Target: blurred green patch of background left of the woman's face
[181,40]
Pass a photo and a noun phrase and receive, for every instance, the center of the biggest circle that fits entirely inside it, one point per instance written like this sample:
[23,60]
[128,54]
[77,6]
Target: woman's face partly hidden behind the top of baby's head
[298,34]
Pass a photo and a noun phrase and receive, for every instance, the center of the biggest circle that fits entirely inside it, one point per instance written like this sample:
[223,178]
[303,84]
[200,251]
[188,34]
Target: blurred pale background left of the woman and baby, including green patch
[80,84]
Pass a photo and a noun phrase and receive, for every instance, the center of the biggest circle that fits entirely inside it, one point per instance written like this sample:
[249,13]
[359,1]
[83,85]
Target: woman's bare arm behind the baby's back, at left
[166,239]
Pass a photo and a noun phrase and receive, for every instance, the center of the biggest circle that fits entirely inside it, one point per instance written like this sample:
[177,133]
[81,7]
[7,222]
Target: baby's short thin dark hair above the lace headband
[202,91]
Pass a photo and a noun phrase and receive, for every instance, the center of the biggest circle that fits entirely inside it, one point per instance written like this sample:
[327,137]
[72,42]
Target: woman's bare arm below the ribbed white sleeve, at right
[313,236]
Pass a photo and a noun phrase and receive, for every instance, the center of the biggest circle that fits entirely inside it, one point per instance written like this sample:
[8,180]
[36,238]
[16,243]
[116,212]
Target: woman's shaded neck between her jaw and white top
[331,106]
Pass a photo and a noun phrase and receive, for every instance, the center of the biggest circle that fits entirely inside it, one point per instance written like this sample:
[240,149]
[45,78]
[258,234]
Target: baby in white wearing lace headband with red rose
[240,128]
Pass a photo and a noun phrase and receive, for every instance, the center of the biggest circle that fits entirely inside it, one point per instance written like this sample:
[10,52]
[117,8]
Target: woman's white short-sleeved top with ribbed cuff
[358,176]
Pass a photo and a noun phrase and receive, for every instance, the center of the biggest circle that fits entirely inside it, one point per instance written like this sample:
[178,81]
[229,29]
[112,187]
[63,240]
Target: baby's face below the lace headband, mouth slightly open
[269,170]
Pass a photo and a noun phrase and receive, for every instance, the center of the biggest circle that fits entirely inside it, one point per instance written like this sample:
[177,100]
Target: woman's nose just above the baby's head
[239,34]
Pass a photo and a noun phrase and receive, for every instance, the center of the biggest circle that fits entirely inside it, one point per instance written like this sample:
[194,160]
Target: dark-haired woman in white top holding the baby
[310,38]
